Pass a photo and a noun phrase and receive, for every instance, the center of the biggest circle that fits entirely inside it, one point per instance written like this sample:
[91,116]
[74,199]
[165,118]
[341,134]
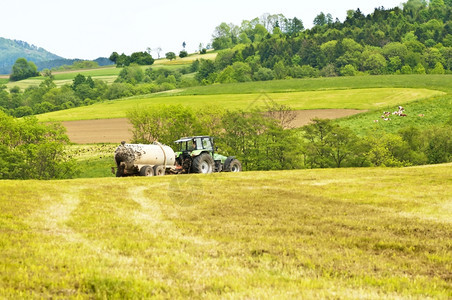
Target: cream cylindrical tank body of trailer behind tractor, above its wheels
[141,154]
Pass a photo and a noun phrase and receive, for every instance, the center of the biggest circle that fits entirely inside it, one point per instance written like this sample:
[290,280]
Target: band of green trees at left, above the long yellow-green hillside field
[84,90]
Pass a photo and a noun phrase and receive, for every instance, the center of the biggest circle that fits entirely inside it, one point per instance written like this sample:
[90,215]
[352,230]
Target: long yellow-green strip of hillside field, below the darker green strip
[353,98]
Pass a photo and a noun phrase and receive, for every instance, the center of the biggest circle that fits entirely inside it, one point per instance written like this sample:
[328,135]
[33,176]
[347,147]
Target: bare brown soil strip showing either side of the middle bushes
[117,130]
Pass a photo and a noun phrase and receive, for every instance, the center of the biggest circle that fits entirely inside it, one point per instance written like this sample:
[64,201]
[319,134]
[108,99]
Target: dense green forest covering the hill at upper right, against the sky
[414,39]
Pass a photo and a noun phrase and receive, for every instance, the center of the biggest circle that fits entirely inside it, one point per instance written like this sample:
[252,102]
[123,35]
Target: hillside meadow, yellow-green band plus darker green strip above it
[367,93]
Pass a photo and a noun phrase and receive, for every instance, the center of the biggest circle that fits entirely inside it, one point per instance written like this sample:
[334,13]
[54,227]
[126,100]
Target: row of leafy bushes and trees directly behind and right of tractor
[263,139]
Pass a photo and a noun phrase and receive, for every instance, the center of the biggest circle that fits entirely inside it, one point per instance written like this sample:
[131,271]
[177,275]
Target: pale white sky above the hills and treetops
[88,29]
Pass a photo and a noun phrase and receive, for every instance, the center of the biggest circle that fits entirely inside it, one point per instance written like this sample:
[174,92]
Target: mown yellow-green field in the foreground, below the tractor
[344,233]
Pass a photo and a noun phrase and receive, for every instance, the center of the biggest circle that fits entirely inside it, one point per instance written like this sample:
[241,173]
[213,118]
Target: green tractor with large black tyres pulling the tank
[197,154]
